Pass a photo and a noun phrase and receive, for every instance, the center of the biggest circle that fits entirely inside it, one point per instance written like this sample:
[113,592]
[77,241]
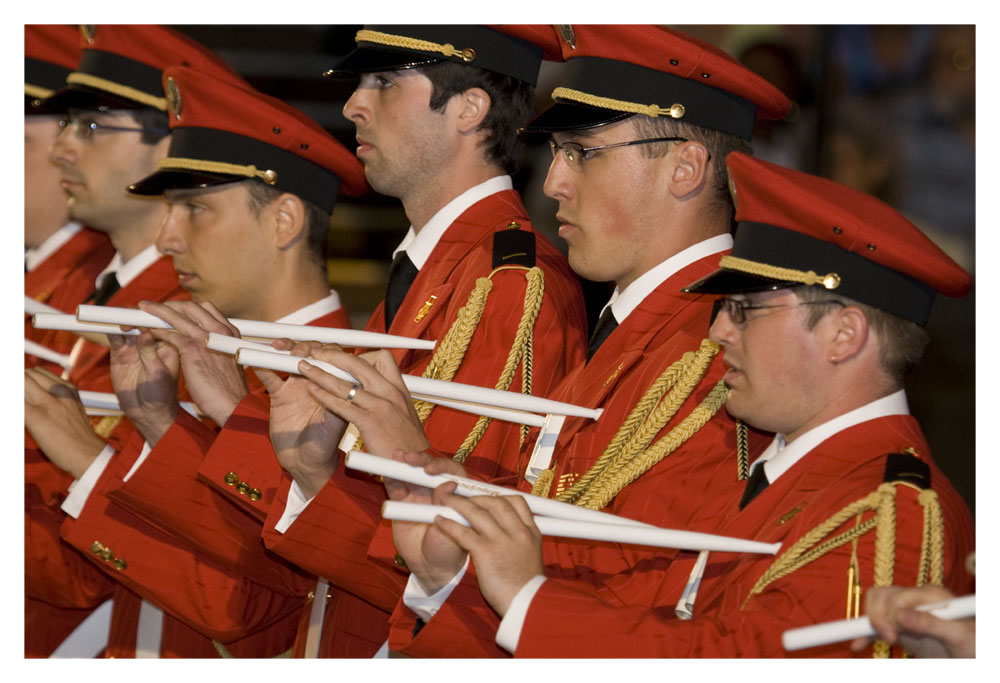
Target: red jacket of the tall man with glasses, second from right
[663,327]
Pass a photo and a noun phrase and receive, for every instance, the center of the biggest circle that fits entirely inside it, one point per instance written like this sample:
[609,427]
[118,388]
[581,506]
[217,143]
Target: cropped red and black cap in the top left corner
[51,53]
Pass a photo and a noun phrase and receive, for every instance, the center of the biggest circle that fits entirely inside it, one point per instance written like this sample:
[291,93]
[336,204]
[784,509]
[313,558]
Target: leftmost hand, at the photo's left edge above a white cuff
[57,421]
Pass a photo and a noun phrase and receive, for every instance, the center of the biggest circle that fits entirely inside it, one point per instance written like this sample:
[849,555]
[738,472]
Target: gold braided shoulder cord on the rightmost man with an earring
[882,502]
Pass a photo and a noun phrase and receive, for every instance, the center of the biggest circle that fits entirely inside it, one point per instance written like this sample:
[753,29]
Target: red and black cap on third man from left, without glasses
[224,133]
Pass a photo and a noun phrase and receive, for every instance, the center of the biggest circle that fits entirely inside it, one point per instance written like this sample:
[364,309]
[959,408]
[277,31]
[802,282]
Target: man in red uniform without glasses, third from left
[250,183]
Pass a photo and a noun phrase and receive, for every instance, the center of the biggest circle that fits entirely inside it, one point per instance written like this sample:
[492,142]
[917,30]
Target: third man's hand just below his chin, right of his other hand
[214,380]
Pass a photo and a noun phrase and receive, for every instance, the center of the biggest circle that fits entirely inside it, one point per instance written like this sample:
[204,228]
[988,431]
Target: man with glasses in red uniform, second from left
[116,132]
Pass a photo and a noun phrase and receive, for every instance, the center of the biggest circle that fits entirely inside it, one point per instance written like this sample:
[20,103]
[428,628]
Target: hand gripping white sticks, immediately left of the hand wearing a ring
[305,435]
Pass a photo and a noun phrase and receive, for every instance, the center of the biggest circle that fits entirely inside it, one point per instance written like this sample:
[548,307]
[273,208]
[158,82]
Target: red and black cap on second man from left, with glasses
[122,67]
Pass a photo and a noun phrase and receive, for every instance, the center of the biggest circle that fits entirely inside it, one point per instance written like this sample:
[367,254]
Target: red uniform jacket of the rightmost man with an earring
[569,619]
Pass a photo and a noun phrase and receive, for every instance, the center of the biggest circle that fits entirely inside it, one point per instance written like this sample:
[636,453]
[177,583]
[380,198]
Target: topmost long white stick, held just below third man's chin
[261,329]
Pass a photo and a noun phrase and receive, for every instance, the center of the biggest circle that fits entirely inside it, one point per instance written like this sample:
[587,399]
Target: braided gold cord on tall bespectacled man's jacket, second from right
[629,455]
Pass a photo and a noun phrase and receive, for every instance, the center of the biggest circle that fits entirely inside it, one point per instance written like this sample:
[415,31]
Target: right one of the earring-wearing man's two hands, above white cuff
[505,544]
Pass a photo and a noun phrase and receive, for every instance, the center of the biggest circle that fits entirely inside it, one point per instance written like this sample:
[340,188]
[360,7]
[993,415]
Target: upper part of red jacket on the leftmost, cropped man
[64,280]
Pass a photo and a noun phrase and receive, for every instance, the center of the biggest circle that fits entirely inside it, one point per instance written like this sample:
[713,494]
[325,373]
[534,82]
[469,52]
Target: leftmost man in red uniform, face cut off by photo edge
[61,260]
